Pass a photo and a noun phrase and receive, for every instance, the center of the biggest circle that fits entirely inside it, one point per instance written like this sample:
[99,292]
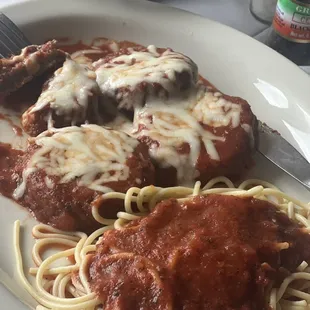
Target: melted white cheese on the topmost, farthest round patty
[128,71]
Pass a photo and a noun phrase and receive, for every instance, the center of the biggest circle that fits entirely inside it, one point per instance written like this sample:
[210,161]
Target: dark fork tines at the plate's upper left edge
[12,40]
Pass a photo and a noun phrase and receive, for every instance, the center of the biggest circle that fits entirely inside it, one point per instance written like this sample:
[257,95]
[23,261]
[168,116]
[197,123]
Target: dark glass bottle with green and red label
[290,34]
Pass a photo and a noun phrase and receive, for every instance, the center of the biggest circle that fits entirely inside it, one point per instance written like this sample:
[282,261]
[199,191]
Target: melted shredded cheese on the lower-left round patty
[90,154]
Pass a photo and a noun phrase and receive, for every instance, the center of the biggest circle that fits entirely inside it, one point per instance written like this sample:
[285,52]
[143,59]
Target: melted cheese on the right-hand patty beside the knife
[173,124]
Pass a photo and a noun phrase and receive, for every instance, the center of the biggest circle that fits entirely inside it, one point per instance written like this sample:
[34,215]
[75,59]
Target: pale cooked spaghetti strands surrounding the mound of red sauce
[67,287]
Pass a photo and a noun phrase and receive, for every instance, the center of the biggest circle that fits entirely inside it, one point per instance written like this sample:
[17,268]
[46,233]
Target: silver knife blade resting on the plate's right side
[275,148]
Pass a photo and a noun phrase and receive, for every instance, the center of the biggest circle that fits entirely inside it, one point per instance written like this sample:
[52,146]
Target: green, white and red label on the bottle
[292,20]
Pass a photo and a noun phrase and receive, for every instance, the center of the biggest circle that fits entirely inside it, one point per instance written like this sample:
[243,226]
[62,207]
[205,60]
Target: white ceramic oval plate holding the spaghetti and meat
[278,91]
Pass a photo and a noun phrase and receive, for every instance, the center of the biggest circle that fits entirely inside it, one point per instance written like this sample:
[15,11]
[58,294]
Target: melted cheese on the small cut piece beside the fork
[68,93]
